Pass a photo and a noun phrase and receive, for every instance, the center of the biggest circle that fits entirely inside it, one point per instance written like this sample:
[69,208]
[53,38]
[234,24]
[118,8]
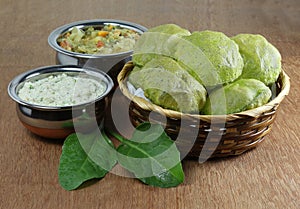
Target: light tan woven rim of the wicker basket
[256,112]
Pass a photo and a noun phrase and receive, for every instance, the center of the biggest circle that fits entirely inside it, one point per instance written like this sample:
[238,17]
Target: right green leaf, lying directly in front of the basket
[155,162]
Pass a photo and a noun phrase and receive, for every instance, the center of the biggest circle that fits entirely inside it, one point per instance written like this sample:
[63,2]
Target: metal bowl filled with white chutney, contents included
[55,101]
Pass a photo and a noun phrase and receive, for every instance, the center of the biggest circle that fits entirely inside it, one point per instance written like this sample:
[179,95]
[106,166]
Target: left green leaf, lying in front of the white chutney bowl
[85,157]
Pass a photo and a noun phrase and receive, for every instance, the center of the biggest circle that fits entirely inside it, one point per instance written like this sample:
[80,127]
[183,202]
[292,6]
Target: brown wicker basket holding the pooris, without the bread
[208,136]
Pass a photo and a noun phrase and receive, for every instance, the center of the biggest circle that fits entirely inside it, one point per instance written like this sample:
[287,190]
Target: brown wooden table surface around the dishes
[266,177]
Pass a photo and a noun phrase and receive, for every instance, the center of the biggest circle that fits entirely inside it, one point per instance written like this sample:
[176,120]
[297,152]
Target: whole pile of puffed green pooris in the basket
[204,72]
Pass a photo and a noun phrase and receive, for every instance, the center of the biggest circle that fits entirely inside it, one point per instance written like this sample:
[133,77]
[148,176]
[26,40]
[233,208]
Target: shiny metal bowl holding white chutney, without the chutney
[59,122]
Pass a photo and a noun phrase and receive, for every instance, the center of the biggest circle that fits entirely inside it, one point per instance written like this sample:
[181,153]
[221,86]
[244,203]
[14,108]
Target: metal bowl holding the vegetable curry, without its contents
[102,62]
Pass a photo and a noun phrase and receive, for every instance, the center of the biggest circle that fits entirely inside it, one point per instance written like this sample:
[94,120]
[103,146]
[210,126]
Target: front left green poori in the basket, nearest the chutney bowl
[167,84]
